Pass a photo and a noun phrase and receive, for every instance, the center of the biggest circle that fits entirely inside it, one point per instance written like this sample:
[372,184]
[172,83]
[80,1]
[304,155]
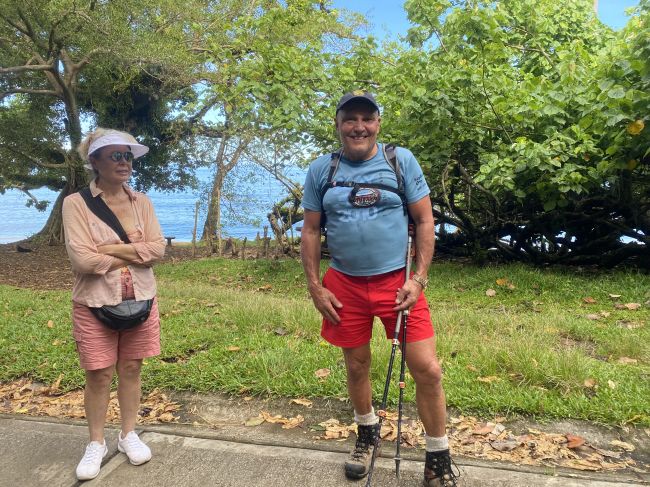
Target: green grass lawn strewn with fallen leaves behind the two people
[248,327]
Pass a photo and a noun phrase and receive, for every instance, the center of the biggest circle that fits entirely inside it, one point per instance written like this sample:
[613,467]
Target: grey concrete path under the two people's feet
[39,453]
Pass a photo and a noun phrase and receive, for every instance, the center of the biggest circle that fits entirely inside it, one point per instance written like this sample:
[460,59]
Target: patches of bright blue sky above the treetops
[388,17]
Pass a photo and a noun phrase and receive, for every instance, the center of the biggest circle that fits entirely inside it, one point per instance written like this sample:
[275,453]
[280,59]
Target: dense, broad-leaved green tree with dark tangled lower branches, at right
[522,115]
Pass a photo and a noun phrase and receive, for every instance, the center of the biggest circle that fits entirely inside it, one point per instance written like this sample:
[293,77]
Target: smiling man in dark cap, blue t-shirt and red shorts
[367,239]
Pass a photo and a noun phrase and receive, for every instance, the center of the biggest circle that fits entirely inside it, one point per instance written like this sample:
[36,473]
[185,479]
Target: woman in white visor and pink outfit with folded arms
[107,271]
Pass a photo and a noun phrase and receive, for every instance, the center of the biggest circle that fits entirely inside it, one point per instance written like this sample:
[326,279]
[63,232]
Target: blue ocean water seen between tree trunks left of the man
[243,213]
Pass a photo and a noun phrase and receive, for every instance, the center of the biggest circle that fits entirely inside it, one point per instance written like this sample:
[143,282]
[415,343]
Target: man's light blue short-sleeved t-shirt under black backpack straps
[369,237]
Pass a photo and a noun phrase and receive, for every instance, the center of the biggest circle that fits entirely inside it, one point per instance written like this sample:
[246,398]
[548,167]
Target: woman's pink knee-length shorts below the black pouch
[100,347]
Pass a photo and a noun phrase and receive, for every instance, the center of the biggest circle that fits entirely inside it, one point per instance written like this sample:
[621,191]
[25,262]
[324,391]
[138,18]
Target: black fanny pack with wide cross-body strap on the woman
[129,313]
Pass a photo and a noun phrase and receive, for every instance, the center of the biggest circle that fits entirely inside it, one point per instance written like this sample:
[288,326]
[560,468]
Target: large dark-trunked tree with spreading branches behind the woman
[62,61]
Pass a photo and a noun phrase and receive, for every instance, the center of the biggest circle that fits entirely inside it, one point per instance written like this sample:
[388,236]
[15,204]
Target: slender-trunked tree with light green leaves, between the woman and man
[263,76]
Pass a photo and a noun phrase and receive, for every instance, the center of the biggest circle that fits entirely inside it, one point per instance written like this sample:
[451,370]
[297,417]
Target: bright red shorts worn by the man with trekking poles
[363,298]
